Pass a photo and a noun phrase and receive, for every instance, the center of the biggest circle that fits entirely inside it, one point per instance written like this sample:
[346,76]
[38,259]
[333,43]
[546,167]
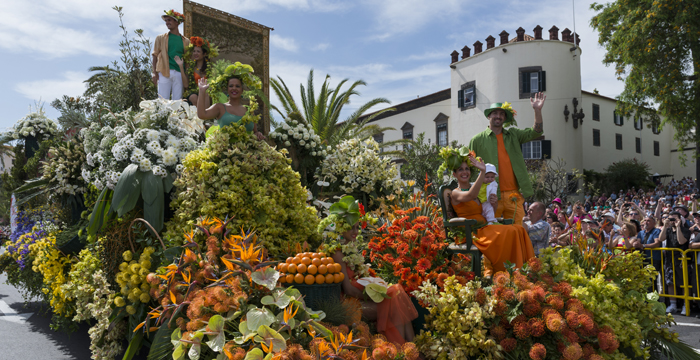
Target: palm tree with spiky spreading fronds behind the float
[322,111]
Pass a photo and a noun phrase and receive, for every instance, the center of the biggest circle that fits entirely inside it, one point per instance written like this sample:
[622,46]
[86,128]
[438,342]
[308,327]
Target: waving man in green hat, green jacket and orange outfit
[502,147]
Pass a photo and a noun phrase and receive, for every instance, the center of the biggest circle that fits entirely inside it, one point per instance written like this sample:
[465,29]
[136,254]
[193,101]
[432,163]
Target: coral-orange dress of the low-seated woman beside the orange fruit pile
[392,313]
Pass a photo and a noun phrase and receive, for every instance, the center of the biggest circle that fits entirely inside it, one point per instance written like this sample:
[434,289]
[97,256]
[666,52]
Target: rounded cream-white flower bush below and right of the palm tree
[358,167]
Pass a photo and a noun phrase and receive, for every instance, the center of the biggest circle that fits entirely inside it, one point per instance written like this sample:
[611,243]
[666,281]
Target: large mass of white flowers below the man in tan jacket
[157,139]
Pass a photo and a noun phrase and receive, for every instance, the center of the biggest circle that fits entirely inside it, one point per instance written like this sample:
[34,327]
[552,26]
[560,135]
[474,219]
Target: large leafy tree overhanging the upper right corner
[655,47]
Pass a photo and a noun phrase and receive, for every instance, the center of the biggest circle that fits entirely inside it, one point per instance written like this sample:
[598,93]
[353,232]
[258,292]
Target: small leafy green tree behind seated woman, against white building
[423,158]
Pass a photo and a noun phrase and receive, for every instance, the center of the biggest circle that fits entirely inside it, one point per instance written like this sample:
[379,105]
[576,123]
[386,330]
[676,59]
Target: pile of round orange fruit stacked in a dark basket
[310,268]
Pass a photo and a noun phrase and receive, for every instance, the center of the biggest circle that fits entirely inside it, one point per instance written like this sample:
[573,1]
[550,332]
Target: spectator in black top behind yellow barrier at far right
[674,235]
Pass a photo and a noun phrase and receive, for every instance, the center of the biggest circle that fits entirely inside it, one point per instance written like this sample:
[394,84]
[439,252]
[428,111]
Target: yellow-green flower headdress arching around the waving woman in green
[245,73]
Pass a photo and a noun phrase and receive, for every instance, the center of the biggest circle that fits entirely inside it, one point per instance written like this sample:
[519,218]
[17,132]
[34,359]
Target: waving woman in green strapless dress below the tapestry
[226,113]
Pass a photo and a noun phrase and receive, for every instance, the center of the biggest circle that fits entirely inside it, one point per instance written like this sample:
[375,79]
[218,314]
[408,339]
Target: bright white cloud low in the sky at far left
[70,83]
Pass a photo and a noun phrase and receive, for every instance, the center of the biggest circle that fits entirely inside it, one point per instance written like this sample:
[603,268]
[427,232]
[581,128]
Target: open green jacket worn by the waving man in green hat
[485,144]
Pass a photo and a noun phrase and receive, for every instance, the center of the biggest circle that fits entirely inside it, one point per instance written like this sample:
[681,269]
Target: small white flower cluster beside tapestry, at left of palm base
[301,136]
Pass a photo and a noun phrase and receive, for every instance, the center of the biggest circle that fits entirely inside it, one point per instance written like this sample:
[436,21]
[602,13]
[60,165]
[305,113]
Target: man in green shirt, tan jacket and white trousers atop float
[168,51]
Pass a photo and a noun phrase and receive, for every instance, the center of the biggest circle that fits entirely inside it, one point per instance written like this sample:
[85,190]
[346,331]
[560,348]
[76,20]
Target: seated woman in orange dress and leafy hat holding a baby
[498,243]
